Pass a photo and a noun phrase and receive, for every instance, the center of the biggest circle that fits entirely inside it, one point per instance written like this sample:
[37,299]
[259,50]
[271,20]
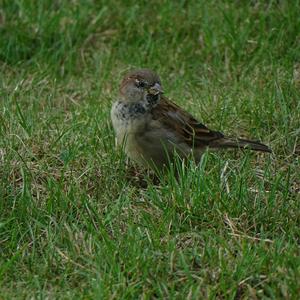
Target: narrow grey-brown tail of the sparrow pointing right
[240,143]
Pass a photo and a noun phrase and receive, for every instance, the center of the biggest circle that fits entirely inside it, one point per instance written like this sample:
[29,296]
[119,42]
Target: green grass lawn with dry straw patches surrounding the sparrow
[74,224]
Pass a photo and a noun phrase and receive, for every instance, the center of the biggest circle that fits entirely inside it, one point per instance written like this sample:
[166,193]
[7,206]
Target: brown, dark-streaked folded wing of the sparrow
[192,132]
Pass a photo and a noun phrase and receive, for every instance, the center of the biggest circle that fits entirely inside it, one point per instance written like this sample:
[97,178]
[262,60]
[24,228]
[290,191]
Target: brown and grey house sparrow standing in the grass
[153,129]
